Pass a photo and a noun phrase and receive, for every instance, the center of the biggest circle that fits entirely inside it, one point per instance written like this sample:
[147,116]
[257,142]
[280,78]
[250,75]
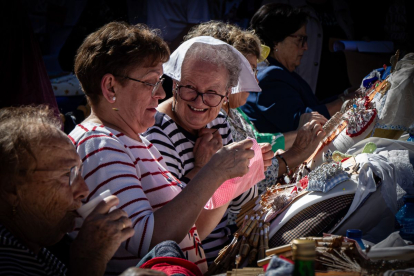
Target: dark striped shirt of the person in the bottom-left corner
[17,259]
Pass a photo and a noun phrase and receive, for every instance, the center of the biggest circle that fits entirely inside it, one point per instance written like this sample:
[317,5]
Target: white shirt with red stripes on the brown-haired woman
[134,172]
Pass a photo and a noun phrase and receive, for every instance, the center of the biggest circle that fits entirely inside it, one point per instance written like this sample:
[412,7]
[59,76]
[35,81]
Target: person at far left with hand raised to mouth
[41,188]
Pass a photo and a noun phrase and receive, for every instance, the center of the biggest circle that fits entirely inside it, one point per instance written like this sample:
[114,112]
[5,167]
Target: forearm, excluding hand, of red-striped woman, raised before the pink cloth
[188,205]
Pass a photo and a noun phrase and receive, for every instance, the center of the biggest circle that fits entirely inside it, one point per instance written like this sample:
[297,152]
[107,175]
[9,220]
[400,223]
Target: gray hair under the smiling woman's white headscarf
[220,55]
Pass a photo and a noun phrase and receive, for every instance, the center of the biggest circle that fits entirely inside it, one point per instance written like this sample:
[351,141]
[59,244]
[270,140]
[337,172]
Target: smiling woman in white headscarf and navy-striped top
[188,128]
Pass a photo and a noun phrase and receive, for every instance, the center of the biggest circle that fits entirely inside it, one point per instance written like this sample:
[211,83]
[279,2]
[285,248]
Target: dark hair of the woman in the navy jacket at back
[274,22]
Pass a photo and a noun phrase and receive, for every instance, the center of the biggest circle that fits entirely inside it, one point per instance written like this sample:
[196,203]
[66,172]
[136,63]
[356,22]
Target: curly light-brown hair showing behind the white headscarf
[244,41]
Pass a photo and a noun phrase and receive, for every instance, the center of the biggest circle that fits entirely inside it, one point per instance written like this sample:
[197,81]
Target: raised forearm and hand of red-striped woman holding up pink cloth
[229,162]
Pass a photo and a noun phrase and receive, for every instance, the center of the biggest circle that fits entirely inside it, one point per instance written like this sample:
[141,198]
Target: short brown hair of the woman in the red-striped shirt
[115,48]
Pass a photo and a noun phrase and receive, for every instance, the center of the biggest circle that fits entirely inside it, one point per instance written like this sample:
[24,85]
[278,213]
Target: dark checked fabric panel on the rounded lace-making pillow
[313,220]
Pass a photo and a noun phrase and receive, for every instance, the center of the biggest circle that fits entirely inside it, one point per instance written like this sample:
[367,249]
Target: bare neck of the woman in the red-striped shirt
[113,119]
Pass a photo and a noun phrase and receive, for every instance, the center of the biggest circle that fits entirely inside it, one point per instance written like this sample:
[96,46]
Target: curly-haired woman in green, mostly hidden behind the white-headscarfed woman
[249,45]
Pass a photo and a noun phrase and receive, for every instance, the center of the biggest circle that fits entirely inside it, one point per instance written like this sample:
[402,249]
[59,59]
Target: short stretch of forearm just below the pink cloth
[209,219]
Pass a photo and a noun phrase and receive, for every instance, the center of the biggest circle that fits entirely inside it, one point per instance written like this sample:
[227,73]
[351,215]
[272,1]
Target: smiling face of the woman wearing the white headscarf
[204,77]
